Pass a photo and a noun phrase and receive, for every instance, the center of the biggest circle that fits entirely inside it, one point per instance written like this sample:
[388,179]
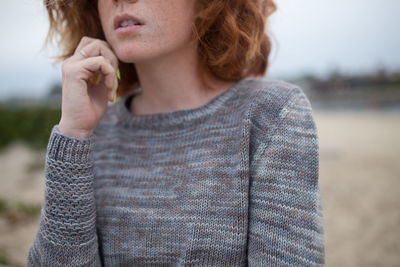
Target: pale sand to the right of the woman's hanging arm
[360,187]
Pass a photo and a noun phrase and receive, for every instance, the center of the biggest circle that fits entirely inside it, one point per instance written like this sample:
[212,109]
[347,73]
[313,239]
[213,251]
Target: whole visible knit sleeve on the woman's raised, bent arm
[67,224]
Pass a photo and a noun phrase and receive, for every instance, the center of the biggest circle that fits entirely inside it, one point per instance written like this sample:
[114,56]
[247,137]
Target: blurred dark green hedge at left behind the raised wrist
[31,125]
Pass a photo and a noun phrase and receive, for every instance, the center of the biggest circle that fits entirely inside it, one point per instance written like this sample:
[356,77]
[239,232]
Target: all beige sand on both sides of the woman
[359,182]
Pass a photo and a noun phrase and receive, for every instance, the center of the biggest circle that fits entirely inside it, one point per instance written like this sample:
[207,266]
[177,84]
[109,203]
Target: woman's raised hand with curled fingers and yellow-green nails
[89,79]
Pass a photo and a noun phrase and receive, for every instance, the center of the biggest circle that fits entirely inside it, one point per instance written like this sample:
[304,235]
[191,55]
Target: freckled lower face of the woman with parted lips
[166,27]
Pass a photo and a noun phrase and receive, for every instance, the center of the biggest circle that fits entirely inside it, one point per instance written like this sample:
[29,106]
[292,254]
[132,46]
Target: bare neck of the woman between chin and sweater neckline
[173,83]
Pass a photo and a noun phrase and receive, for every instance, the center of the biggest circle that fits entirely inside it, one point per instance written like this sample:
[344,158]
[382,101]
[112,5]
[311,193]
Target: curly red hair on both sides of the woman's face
[232,43]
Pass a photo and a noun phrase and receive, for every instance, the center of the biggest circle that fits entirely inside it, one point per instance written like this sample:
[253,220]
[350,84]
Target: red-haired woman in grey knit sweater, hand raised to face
[198,162]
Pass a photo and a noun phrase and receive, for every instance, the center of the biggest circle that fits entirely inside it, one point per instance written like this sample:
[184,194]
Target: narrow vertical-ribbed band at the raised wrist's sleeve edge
[70,149]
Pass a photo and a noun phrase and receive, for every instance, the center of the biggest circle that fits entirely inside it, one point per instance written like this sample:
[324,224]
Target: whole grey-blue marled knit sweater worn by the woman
[231,183]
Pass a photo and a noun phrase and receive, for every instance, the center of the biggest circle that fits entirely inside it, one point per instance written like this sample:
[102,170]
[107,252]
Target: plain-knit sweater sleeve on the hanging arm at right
[285,213]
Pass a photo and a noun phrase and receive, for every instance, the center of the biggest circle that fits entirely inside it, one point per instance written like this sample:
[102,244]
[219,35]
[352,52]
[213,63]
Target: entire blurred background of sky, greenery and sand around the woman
[344,54]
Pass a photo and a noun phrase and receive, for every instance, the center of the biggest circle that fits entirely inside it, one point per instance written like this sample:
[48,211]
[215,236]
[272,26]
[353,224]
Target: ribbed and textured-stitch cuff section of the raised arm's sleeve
[69,215]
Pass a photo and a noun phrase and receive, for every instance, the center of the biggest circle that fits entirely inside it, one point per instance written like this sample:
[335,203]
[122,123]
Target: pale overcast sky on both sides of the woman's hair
[310,36]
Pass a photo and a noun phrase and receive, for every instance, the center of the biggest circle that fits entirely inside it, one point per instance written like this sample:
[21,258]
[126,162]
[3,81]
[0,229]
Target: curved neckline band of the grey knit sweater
[173,118]
